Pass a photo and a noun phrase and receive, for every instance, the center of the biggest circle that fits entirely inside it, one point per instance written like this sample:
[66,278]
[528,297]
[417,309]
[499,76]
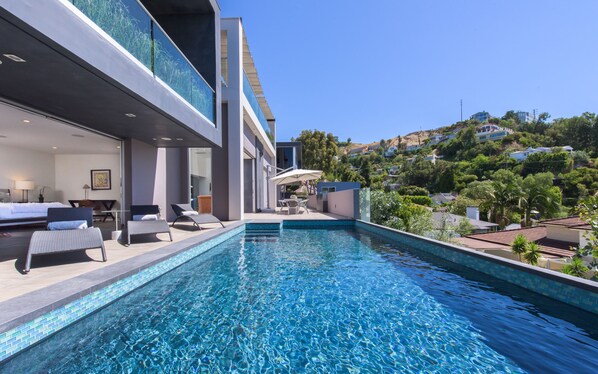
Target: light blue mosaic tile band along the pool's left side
[25,335]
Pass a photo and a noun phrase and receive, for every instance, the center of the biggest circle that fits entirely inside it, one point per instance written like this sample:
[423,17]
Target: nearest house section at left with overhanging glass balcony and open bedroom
[129,90]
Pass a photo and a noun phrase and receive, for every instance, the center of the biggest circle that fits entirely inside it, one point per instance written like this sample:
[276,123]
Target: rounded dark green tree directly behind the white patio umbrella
[319,150]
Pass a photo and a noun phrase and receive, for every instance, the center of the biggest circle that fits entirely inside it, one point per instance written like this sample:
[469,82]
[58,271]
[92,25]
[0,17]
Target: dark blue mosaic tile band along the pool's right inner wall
[548,286]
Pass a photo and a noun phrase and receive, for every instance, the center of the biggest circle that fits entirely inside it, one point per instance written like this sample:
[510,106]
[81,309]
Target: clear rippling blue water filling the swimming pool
[322,301]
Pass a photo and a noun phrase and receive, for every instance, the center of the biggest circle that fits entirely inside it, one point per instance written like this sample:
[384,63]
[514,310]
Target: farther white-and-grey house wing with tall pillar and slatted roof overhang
[247,160]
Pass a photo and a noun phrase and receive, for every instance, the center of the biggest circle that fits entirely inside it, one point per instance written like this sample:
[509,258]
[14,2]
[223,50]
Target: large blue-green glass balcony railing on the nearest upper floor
[131,26]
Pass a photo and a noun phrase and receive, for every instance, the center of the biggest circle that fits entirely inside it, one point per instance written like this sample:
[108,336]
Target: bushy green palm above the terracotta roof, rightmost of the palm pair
[539,194]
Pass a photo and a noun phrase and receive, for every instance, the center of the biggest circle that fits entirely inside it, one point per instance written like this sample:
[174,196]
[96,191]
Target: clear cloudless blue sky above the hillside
[377,69]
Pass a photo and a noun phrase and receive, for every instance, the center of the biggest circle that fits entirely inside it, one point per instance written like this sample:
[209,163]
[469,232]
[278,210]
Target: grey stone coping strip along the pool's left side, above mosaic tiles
[25,308]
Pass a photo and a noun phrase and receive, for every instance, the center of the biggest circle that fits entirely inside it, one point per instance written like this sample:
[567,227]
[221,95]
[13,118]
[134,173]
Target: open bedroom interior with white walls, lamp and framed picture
[47,161]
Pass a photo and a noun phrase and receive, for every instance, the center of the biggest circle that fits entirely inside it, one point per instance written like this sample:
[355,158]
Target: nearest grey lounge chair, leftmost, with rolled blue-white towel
[63,234]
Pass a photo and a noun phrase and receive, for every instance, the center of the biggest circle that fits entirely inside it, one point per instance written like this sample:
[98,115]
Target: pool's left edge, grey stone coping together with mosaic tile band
[18,331]
